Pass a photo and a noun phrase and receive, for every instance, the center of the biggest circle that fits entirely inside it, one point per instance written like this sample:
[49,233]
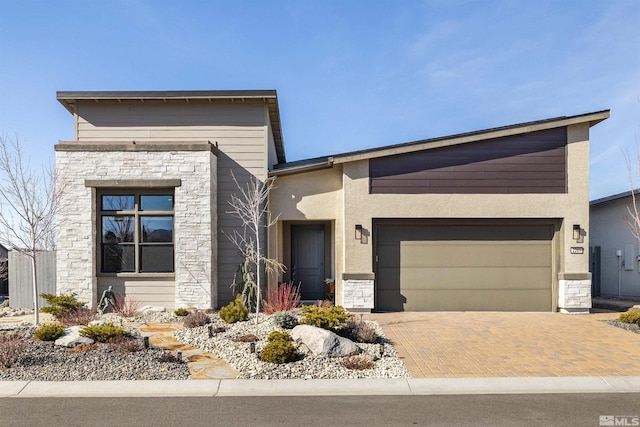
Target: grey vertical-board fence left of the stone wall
[21,282]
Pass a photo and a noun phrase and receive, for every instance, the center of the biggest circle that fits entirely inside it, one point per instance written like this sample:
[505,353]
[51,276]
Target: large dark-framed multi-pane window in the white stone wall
[136,232]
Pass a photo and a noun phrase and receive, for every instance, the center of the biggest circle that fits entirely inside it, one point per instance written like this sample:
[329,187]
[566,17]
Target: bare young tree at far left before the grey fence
[27,207]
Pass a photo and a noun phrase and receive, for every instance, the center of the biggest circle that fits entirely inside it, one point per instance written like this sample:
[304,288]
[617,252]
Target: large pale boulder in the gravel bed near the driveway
[322,342]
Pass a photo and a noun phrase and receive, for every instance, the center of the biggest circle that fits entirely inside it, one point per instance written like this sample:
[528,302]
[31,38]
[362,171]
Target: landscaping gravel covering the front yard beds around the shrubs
[46,362]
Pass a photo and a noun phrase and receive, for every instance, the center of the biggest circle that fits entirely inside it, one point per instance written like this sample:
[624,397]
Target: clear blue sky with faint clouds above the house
[349,74]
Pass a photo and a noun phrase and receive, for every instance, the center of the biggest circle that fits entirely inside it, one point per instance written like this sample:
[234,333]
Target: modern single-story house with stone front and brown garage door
[488,220]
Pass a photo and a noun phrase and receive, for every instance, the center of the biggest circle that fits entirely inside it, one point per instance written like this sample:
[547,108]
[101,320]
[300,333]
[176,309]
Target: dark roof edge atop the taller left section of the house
[69,98]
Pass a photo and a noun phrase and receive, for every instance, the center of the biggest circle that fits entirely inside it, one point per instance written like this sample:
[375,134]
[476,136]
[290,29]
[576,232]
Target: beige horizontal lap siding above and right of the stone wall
[240,131]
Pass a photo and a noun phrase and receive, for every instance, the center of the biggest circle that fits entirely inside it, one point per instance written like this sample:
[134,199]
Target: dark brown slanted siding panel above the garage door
[530,163]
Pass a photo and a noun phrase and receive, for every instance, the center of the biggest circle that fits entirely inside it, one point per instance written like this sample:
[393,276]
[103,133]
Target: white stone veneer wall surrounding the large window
[195,217]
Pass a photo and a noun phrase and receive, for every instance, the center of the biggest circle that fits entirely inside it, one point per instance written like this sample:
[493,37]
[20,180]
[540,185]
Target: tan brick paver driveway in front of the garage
[492,344]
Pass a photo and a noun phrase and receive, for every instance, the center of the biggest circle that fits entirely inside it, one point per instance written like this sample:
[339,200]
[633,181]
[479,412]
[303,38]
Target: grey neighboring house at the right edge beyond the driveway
[615,252]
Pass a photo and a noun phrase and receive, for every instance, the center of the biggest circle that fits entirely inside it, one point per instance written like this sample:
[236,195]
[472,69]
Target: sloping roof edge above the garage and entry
[425,144]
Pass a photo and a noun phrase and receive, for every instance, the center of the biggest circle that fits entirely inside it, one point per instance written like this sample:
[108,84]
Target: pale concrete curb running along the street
[298,387]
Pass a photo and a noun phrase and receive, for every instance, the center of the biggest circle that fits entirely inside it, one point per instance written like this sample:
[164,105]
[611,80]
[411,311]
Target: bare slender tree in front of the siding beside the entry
[250,205]
